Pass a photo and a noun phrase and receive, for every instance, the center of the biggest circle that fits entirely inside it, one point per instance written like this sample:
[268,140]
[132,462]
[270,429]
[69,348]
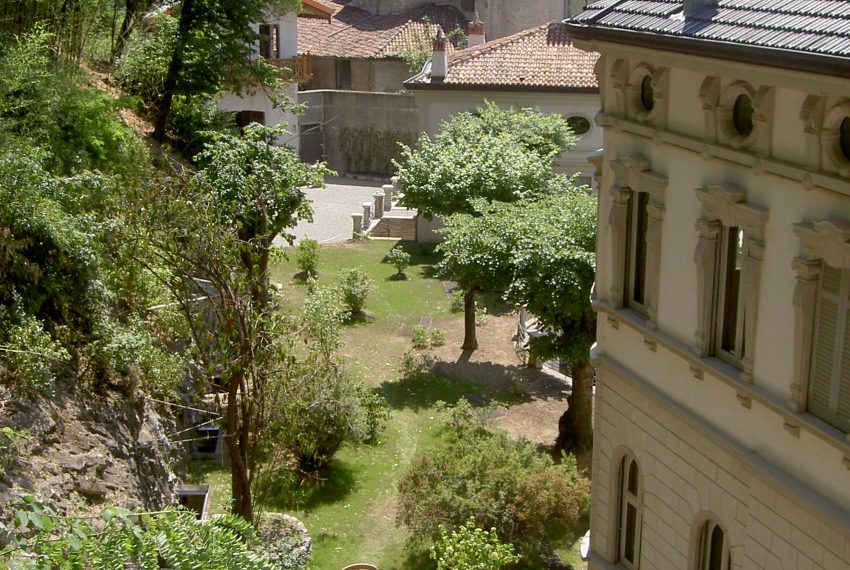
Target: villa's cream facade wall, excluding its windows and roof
[705,444]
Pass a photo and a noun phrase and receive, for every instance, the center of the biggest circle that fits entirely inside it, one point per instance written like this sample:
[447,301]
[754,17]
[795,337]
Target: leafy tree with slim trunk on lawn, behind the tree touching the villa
[491,154]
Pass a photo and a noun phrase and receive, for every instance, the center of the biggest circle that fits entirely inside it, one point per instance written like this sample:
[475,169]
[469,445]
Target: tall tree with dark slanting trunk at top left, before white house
[212,51]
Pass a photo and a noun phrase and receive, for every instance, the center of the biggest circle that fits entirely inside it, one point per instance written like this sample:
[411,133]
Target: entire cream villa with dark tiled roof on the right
[723,284]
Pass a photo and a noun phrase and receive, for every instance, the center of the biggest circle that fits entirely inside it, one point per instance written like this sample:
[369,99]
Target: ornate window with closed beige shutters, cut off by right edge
[822,323]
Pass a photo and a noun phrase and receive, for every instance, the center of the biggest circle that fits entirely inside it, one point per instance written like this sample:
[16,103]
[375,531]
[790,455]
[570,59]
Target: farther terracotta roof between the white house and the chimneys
[354,33]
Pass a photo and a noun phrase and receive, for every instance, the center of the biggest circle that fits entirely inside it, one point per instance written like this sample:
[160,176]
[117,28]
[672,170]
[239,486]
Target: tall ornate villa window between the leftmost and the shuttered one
[728,257]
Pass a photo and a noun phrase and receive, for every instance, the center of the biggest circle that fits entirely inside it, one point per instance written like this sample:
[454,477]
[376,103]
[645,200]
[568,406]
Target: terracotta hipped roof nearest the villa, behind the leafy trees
[541,58]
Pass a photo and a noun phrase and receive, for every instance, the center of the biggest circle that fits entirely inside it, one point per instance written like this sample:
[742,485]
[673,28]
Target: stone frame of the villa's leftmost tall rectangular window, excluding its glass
[633,174]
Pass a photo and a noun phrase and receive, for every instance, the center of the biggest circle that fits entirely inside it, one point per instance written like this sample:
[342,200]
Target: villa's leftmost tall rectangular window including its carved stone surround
[636,217]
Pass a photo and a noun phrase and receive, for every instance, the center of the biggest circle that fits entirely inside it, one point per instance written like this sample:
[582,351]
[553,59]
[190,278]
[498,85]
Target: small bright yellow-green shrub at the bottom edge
[471,548]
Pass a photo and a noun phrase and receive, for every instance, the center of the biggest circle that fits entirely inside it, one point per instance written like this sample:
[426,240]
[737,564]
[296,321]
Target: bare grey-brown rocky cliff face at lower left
[86,451]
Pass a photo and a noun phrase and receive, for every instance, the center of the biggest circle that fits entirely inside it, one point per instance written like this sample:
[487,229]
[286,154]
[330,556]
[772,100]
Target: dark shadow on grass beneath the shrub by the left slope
[330,486]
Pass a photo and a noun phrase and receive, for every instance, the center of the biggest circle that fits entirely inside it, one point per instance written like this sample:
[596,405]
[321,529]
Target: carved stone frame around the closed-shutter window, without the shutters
[822,242]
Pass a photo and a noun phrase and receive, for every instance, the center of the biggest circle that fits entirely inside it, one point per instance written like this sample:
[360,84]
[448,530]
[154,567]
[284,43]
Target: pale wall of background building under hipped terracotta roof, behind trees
[438,106]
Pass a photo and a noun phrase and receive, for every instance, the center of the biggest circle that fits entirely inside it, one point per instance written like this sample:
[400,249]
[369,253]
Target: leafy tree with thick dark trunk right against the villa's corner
[539,253]
